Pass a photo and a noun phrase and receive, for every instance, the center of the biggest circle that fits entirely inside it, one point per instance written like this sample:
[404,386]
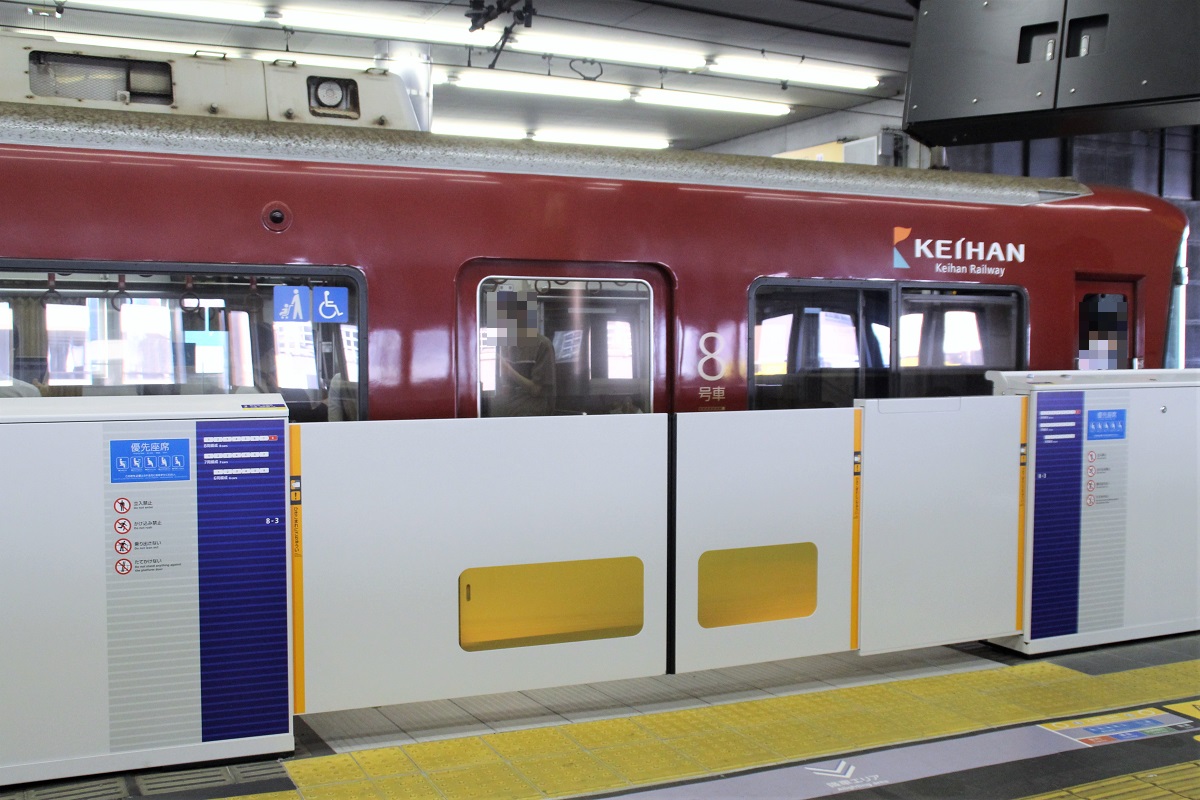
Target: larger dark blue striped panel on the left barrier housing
[242,520]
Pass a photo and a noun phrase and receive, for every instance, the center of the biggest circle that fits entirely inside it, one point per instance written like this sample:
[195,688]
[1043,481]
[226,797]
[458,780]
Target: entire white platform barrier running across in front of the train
[453,558]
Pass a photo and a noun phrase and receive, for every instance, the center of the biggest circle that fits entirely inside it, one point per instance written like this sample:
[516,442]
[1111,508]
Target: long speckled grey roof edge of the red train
[109,130]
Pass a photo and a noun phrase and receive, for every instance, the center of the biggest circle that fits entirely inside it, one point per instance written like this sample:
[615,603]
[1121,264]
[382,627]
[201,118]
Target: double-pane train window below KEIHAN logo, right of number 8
[824,345]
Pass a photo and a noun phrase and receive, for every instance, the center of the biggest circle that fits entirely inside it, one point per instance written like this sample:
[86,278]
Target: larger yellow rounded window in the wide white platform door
[524,605]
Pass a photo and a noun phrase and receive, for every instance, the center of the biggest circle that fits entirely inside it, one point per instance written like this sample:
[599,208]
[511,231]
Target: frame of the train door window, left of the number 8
[646,384]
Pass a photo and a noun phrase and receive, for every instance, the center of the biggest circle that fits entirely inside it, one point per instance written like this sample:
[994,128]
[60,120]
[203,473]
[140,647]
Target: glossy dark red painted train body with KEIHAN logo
[416,233]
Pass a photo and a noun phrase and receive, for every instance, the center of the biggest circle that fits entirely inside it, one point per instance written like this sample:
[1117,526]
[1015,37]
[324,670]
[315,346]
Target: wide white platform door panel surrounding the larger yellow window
[395,513]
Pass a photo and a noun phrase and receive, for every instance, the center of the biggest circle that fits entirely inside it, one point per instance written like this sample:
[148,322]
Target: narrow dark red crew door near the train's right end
[1107,324]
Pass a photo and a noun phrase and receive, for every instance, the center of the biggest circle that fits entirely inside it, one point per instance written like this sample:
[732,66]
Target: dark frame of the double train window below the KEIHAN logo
[890,351]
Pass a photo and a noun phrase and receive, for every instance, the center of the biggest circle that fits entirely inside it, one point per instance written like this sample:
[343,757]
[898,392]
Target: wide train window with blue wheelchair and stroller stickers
[103,334]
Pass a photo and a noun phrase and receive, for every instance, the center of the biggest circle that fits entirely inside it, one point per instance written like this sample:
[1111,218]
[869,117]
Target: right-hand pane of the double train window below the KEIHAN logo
[951,338]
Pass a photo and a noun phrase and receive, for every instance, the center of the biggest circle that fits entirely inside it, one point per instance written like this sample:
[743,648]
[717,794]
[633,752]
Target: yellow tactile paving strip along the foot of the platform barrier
[481,755]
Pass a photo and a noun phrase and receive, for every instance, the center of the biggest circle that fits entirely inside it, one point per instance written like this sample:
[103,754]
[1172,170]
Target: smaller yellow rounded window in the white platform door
[758,585]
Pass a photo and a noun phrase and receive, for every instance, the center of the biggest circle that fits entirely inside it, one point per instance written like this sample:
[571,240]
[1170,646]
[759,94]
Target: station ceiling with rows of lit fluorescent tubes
[868,38]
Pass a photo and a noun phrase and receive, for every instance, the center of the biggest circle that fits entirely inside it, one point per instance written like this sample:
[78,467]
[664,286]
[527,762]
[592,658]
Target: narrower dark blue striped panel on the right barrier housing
[1057,514]
